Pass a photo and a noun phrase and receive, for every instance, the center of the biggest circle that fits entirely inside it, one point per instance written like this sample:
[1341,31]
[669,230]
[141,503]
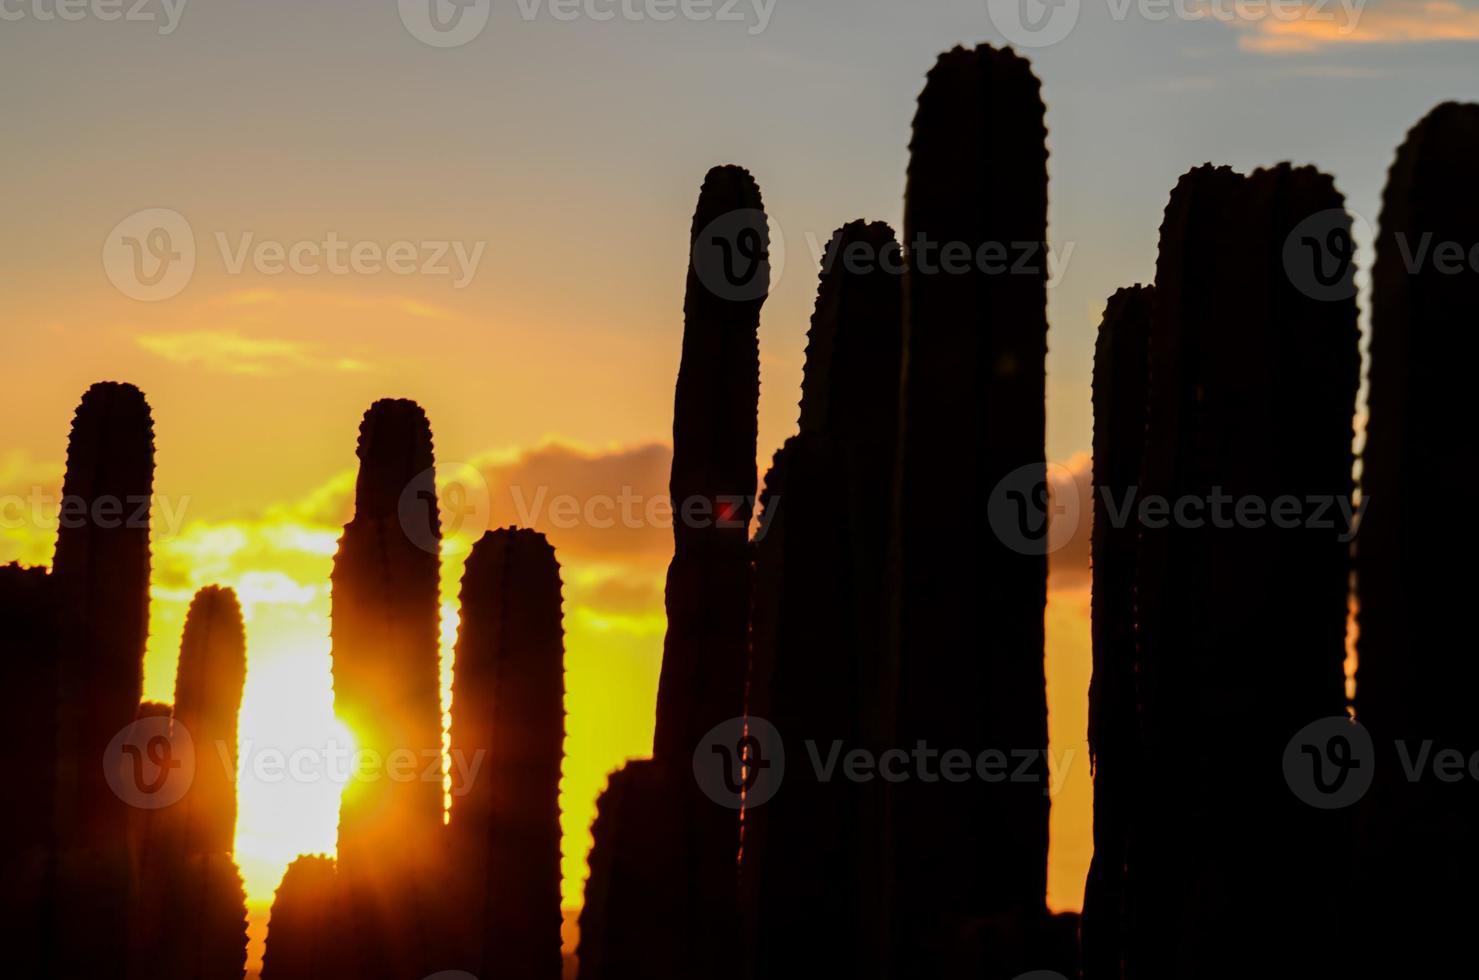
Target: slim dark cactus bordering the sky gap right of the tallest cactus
[1122,361]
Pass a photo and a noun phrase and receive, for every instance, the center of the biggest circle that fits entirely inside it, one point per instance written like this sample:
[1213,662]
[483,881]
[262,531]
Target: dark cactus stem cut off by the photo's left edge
[29,753]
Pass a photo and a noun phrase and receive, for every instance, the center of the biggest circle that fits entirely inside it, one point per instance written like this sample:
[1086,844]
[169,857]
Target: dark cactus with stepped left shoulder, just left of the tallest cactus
[816,857]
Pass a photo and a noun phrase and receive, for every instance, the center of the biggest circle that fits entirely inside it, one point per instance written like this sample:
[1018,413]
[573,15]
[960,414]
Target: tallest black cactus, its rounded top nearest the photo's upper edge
[974,416]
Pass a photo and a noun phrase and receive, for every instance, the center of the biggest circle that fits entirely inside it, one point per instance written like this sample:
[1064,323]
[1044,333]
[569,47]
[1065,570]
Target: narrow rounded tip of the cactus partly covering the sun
[396,452]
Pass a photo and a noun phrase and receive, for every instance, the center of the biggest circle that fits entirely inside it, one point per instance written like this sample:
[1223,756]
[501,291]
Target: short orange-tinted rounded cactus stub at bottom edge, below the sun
[304,929]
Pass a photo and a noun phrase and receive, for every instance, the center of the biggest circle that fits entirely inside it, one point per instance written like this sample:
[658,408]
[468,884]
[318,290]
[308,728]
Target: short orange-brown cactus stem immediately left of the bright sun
[209,684]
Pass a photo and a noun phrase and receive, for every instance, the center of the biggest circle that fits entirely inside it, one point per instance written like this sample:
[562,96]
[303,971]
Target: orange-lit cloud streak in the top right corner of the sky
[1321,26]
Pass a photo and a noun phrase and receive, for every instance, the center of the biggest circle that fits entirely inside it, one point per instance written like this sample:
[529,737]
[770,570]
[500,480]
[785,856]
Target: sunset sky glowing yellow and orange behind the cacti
[511,217]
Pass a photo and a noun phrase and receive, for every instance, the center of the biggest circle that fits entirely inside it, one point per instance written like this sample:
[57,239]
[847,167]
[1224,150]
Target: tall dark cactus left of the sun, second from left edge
[101,588]
